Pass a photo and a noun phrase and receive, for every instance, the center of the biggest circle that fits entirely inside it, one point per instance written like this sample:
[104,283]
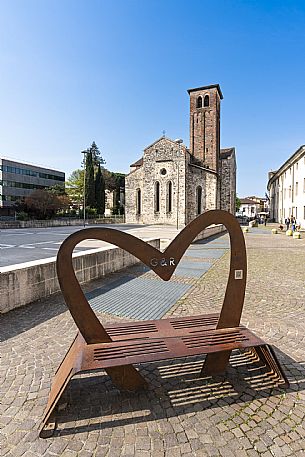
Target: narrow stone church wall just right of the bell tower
[228,184]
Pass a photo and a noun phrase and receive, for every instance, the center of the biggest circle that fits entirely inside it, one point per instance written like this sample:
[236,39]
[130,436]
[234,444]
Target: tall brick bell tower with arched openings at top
[205,125]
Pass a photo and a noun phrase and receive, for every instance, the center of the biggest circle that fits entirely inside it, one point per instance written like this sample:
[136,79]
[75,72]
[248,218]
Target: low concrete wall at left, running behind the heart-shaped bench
[24,283]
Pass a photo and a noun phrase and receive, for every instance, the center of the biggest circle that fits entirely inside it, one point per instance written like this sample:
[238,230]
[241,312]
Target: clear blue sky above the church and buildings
[117,72]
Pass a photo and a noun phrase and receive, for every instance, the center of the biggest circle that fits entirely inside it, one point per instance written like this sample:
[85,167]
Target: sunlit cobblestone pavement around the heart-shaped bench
[240,414]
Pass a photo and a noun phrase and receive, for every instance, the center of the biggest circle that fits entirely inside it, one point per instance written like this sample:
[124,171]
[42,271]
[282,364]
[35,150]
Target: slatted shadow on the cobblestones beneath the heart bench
[175,388]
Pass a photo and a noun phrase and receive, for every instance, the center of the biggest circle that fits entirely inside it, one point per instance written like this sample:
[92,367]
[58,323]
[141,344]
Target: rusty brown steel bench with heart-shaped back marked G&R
[116,347]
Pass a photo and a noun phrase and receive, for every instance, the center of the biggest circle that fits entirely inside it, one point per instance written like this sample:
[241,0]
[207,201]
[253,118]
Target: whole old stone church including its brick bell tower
[172,184]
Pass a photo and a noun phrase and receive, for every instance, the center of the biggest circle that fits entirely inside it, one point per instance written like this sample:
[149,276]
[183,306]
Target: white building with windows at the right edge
[286,188]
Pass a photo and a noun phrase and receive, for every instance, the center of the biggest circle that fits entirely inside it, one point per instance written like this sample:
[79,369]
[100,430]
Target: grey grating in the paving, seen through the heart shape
[149,298]
